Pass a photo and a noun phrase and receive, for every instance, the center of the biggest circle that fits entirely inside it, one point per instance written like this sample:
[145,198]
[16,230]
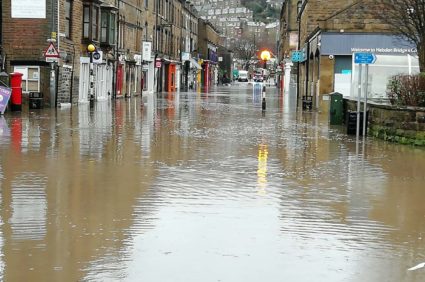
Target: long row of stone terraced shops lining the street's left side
[139,46]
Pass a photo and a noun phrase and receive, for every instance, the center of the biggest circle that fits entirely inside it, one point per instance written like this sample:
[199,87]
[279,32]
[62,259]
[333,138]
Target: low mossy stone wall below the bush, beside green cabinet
[404,125]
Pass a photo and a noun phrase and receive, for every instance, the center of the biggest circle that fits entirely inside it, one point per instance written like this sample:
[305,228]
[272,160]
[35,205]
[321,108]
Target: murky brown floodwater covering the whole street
[204,187]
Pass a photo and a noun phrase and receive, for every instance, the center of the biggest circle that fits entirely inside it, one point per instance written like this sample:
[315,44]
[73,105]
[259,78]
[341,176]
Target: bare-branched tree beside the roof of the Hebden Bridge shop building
[407,17]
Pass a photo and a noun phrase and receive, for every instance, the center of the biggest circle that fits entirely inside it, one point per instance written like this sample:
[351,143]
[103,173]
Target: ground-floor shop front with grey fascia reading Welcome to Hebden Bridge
[330,67]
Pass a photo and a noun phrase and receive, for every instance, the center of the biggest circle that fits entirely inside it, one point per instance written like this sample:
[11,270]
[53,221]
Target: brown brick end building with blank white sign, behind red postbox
[25,30]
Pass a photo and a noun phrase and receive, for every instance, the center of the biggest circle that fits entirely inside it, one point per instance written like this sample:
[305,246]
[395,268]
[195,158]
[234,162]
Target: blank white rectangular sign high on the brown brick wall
[29,9]
